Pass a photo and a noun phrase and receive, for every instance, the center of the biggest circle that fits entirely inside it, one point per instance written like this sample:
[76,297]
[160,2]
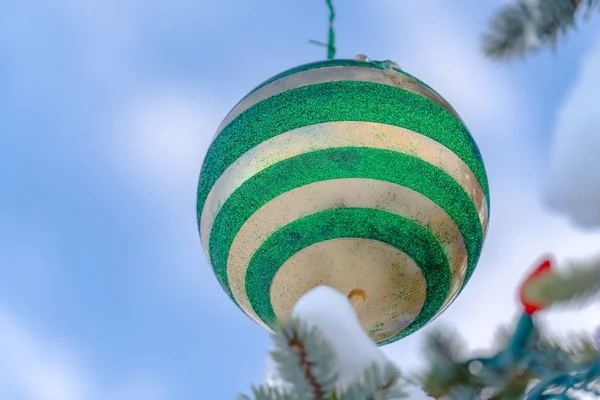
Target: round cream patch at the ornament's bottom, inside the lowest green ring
[391,285]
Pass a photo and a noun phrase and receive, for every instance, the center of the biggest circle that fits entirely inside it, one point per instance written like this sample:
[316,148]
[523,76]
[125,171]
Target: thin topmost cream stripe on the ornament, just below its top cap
[333,74]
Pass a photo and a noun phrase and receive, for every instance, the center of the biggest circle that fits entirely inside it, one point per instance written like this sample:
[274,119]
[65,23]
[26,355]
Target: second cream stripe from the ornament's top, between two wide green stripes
[331,135]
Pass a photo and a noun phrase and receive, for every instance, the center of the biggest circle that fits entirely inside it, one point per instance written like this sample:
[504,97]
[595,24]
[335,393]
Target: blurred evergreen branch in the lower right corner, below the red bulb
[537,365]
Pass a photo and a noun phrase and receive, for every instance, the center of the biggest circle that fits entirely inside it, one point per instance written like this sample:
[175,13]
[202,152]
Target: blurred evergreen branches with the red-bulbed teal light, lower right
[527,362]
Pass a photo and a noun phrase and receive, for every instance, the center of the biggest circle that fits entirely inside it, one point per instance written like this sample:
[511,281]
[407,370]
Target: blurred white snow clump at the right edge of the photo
[573,181]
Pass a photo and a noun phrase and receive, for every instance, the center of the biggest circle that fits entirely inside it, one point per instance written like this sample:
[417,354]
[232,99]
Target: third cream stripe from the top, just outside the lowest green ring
[333,194]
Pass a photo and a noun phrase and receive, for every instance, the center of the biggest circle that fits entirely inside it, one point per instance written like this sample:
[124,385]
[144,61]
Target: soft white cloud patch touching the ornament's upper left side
[162,137]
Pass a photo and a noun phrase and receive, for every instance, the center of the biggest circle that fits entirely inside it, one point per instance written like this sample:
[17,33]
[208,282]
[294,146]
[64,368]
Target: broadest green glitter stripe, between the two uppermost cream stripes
[337,101]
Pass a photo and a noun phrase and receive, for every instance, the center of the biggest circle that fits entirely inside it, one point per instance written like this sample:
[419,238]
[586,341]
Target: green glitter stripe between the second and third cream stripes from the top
[339,163]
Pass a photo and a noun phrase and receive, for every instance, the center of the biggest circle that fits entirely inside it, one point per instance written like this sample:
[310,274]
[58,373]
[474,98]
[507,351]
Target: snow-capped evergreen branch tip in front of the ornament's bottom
[322,353]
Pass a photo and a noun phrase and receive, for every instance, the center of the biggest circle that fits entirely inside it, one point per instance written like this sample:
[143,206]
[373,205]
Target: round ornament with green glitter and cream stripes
[346,173]
